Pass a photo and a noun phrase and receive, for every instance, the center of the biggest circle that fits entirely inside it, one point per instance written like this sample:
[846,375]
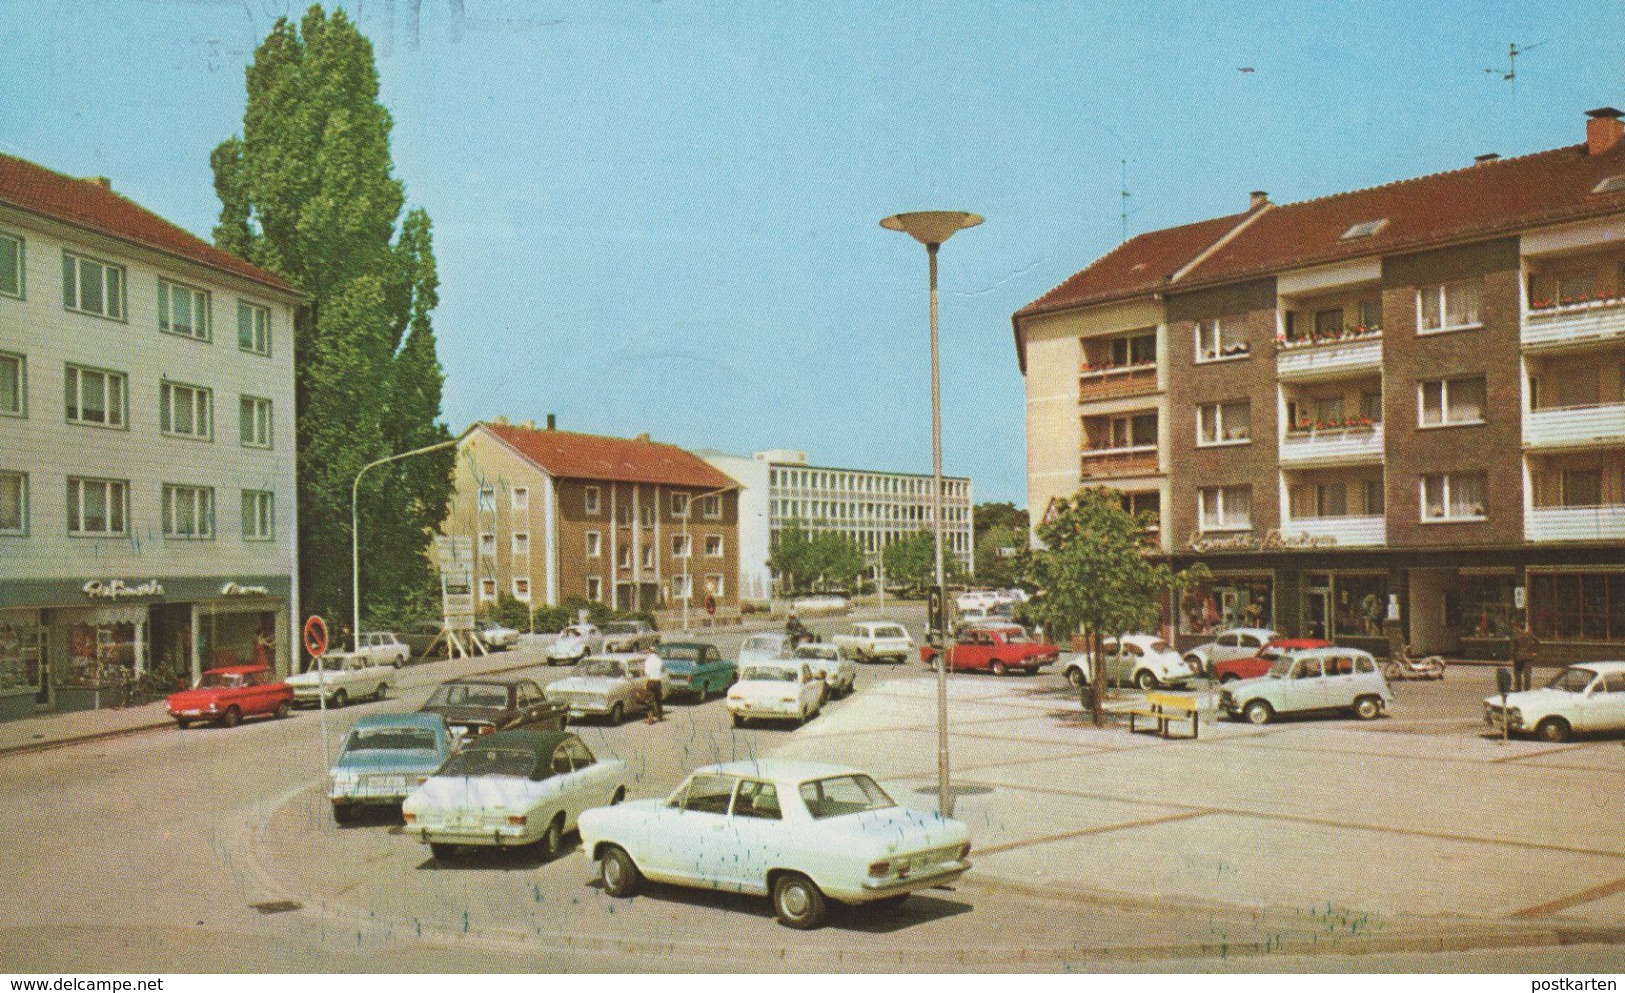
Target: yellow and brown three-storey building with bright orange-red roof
[630,523]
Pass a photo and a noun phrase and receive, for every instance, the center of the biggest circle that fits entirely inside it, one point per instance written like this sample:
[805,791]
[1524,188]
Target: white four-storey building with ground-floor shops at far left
[147,449]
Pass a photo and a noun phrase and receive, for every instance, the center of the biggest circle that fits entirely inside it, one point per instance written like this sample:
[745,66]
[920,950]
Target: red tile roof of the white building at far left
[87,204]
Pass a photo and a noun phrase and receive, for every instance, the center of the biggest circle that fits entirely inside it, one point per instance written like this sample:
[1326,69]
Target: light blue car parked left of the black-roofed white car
[384,758]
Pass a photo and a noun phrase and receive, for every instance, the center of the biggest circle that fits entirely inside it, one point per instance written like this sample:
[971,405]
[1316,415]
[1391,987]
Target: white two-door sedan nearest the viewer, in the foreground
[802,833]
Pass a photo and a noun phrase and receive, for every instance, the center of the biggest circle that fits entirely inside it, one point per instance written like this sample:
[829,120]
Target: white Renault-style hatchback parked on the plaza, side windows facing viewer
[1311,682]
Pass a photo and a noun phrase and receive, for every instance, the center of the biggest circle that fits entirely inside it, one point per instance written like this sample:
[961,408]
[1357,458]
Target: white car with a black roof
[513,789]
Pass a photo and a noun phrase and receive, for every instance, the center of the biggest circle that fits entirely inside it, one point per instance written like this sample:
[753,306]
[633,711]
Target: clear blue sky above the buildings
[664,215]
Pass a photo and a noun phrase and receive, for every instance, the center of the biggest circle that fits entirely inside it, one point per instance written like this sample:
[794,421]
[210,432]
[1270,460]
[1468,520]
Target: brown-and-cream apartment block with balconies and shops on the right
[1405,399]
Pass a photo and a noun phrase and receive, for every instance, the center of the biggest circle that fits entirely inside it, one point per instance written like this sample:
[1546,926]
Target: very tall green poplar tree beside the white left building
[306,193]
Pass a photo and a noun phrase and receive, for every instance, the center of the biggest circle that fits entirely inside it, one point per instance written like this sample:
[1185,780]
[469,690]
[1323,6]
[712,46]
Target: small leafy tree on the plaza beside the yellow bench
[1094,576]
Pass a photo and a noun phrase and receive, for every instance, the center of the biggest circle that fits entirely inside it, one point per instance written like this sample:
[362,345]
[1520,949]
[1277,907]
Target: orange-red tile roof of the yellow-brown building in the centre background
[612,459]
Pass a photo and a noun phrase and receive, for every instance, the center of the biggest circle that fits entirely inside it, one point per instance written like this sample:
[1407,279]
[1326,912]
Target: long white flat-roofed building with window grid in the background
[872,508]
